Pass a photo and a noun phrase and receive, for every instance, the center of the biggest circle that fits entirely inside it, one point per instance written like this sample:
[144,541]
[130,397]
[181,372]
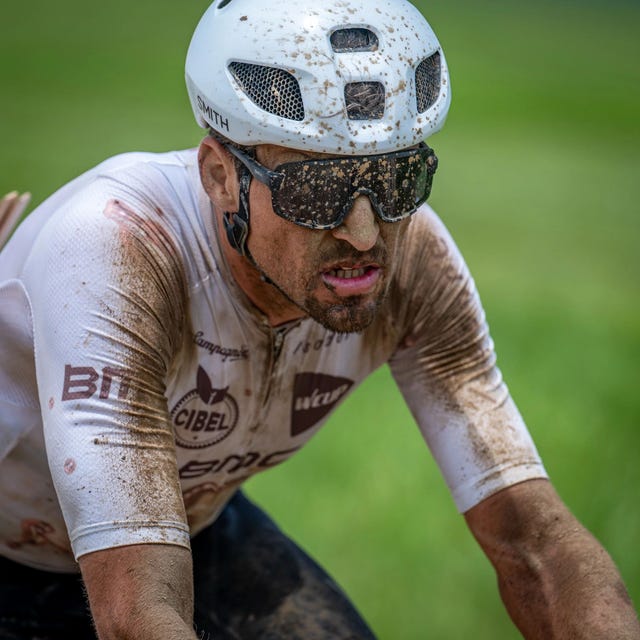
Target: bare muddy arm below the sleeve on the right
[555,579]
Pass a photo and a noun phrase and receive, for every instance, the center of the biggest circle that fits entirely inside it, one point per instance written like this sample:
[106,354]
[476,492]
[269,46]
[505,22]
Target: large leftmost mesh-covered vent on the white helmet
[272,89]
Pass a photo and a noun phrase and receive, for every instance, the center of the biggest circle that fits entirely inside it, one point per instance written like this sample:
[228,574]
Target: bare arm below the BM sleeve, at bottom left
[140,591]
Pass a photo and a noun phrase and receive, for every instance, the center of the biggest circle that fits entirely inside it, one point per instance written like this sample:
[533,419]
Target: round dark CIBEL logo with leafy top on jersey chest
[205,415]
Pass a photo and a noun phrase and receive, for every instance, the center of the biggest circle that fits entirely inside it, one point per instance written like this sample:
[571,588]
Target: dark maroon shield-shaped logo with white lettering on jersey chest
[314,396]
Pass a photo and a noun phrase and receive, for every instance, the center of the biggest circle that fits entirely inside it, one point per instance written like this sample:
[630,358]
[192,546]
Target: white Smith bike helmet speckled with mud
[336,76]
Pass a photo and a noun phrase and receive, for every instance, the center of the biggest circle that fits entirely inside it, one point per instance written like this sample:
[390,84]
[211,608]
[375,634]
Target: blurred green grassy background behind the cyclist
[539,184]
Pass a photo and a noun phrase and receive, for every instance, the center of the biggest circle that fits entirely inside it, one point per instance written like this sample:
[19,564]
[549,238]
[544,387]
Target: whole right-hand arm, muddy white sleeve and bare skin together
[555,578]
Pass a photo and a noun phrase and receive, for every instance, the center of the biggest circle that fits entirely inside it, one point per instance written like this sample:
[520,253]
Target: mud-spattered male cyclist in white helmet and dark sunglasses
[150,321]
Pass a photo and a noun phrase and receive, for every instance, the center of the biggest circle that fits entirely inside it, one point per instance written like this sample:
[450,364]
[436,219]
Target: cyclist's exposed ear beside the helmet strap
[218,174]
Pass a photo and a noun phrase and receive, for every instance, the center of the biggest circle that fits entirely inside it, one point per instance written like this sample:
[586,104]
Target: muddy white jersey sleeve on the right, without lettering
[445,367]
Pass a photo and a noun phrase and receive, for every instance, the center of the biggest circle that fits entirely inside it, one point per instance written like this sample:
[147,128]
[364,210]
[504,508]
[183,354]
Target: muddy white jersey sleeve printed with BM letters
[107,293]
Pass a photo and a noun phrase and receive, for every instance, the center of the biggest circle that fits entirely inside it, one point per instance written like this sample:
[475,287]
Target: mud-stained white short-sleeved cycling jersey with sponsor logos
[139,387]
